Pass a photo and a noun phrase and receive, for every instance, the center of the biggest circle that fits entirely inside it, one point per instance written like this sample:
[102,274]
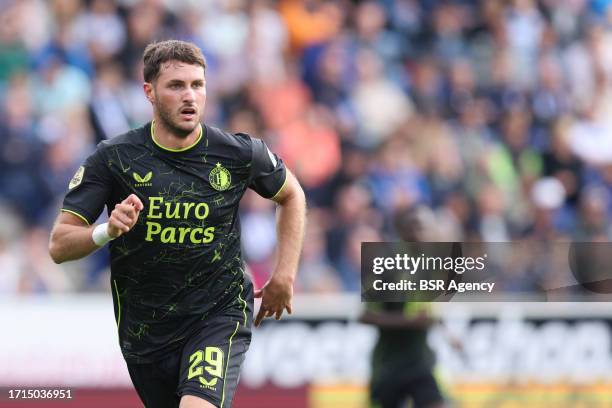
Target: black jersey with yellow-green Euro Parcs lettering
[181,263]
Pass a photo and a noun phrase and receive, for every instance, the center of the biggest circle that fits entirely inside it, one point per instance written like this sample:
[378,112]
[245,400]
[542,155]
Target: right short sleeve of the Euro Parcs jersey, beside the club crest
[268,172]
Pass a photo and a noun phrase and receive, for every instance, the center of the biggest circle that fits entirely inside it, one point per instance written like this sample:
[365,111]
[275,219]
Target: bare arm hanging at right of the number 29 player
[277,293]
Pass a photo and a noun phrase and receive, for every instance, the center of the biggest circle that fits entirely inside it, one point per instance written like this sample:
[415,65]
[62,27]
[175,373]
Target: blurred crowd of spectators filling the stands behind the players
[494,115]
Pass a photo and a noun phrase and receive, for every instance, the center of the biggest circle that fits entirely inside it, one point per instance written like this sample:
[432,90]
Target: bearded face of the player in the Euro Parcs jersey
[178,95]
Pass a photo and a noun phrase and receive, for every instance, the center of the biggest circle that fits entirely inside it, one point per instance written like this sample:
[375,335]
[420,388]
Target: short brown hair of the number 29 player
[159,52]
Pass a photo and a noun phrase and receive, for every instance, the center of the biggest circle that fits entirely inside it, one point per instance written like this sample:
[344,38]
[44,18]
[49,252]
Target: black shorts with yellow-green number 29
[208,365]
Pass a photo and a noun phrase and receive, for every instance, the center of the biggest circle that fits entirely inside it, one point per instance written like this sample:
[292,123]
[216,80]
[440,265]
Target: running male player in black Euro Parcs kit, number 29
[183,303]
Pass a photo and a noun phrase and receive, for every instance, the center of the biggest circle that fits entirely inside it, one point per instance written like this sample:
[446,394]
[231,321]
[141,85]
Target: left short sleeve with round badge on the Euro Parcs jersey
[89,189]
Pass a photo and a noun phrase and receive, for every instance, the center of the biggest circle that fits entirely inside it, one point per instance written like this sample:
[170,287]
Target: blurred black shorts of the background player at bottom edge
[394,391]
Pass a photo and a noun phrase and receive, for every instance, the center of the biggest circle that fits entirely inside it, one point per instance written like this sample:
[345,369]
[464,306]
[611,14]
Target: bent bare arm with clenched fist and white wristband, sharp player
[71,238]
